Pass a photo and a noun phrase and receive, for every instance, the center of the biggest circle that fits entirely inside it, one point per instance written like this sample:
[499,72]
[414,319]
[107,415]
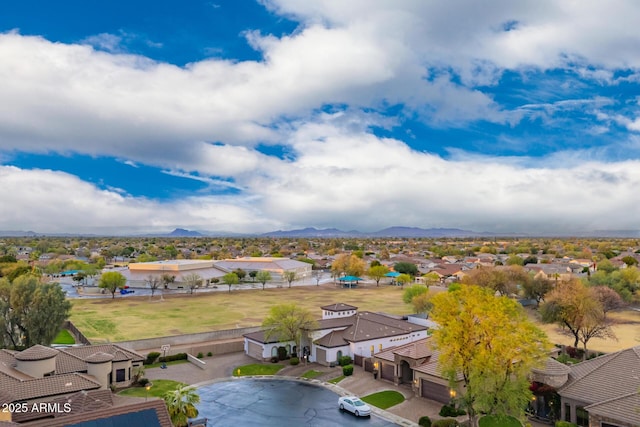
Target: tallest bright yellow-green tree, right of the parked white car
[489,342]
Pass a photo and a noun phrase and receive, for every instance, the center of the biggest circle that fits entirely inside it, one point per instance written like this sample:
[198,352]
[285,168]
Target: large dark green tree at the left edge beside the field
[31,312]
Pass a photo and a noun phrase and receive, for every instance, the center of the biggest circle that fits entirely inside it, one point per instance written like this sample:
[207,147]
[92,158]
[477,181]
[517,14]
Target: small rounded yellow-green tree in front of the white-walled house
[288,322]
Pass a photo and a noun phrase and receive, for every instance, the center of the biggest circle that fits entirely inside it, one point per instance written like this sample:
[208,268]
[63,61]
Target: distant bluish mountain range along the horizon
[311,232]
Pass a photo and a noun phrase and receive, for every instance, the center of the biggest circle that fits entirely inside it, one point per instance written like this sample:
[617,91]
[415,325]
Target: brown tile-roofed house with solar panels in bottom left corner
[71,386]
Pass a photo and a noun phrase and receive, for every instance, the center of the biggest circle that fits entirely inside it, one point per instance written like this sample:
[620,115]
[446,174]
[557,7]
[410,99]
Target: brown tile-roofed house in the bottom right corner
[604,391]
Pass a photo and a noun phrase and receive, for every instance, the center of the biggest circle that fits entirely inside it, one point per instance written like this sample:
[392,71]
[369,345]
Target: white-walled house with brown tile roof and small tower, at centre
[342,331]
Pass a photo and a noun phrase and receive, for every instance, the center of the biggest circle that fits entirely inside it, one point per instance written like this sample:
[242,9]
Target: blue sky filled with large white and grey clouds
[251,116]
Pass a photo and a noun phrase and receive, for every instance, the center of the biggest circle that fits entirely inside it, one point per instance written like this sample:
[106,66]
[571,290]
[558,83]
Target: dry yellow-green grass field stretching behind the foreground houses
[131,318]
